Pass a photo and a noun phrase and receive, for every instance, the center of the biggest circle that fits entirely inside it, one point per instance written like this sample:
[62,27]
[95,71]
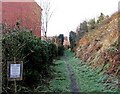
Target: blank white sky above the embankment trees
[69,13]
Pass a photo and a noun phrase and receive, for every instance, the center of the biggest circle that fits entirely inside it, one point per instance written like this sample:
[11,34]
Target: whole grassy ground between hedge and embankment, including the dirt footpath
[72,75]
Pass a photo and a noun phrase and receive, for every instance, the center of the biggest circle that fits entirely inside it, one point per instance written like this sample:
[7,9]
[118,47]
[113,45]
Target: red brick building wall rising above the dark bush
[28,13]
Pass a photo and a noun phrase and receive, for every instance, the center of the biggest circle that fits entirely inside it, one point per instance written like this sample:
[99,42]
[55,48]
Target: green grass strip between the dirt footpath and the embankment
[88,79]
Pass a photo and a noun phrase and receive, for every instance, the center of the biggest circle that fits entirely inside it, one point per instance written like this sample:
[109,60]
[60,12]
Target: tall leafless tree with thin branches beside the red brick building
[46,15]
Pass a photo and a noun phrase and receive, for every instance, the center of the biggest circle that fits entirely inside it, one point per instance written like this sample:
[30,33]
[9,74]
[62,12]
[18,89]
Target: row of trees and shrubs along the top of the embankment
[85,26]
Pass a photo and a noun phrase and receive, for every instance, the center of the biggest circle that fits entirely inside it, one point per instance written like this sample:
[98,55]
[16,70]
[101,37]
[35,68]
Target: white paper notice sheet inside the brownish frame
[14,70]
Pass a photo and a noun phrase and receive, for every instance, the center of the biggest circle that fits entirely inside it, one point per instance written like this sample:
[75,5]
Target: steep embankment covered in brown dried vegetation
[100,47]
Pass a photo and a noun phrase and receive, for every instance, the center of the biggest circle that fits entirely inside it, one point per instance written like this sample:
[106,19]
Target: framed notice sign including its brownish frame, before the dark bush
[15,70]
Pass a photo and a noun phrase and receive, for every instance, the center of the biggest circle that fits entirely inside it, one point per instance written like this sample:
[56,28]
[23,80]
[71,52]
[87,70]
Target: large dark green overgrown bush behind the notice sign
[37,56]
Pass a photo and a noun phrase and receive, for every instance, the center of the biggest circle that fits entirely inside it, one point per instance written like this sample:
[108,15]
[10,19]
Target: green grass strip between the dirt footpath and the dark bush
[60,83]
